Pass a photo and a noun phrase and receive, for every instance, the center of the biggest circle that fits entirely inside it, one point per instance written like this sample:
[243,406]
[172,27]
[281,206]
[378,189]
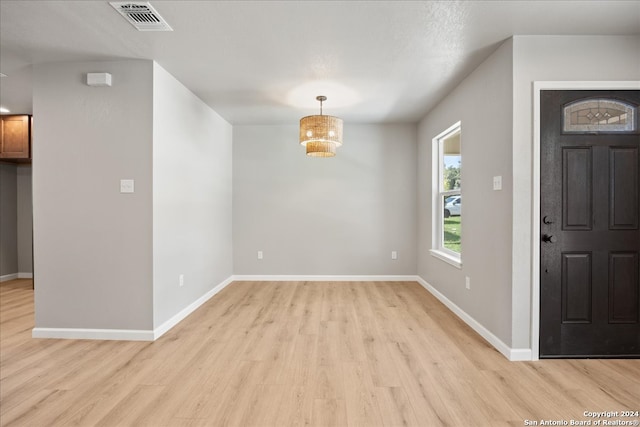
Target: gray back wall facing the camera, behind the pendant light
[337,216]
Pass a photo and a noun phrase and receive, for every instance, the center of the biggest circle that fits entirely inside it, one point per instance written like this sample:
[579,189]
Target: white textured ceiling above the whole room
[263,62]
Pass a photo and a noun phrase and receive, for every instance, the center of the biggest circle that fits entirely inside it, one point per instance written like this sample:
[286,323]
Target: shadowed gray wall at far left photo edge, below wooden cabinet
[8,220]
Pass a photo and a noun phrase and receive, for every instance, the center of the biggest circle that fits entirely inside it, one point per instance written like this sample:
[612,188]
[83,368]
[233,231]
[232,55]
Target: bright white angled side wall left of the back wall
[192,183]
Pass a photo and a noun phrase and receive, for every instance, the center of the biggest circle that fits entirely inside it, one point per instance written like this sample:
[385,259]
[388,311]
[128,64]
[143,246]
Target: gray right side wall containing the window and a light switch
[483,103]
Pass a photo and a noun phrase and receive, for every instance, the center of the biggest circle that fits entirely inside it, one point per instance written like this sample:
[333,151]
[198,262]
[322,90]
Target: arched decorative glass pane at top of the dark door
[599,115]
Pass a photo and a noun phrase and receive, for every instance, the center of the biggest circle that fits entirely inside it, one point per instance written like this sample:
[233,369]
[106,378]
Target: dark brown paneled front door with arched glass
[590,237]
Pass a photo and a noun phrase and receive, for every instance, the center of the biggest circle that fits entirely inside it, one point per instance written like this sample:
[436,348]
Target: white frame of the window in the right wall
[438,249]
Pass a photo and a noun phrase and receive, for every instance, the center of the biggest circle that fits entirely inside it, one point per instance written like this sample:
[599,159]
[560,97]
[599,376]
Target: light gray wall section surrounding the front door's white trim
[551,58]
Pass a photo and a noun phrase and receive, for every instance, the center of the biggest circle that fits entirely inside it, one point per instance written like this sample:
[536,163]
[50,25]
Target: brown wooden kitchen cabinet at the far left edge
[15,138]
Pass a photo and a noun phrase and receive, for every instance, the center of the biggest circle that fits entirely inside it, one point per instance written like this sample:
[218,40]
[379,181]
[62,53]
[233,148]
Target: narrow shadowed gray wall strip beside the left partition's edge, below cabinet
[25,219]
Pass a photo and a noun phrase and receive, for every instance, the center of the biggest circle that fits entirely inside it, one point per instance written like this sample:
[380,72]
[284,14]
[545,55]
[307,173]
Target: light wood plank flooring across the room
[296,353]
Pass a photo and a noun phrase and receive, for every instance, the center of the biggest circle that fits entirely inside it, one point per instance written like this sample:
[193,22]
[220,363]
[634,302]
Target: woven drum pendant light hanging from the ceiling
[321,134]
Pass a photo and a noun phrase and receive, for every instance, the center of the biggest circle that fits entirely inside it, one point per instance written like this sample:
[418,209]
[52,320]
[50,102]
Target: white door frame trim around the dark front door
[539,86]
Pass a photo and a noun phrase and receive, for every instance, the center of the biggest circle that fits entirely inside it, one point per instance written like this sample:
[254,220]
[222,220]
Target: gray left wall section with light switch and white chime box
[92,244]
